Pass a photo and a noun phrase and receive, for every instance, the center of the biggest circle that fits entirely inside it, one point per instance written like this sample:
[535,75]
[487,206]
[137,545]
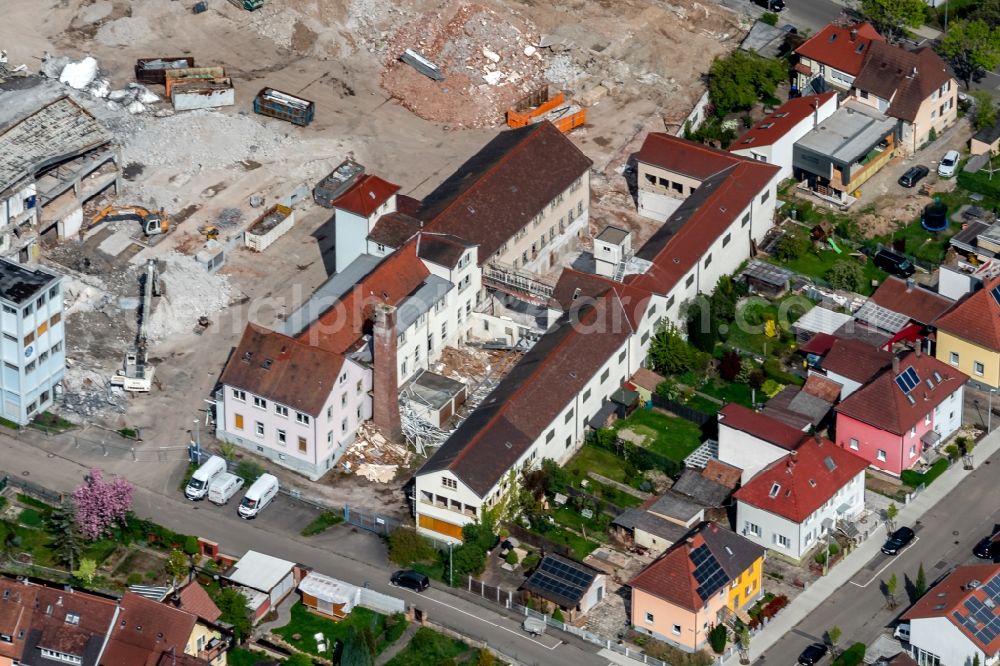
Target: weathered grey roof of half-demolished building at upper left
[54,133]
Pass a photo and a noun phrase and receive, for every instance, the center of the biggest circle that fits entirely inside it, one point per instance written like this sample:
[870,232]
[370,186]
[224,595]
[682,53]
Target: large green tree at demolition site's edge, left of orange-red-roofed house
[737,81]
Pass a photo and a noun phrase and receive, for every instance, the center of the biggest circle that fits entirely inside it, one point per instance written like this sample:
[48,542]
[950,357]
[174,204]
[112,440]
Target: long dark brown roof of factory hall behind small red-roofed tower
[504,186]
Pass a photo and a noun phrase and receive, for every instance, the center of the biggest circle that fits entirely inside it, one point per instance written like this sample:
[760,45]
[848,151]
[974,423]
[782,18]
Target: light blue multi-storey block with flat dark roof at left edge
[34,354]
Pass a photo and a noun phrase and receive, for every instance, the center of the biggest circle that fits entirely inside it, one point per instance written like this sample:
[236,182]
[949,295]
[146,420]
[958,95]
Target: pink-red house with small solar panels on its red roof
[902,413]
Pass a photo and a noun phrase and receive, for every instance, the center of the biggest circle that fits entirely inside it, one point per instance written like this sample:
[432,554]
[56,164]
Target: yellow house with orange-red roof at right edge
[968,336]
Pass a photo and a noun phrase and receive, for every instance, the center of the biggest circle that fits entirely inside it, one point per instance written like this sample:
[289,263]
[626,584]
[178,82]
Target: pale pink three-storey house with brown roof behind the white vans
[297,405]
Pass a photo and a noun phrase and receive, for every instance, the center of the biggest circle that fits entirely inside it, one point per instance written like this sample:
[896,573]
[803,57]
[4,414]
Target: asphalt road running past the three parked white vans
[342,552]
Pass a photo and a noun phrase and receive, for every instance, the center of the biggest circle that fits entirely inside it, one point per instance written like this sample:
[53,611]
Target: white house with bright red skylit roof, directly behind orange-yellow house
[801,497]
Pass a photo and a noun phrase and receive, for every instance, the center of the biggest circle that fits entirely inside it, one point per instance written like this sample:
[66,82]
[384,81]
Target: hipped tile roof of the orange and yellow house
[671,577]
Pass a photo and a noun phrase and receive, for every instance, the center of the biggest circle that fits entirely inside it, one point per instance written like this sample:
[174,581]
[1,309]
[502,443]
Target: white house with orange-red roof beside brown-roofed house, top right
[833,57]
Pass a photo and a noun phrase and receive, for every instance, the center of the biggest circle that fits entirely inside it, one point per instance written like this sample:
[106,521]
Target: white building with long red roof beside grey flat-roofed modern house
[771,138]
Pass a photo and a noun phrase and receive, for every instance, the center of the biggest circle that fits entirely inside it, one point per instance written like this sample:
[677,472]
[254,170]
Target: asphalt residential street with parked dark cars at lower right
[945,537]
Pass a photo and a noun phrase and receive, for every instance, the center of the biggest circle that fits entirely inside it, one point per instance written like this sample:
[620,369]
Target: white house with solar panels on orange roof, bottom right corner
[958,619]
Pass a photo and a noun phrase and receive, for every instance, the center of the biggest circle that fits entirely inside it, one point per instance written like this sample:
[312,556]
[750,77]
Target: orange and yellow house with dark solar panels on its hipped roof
[695,585]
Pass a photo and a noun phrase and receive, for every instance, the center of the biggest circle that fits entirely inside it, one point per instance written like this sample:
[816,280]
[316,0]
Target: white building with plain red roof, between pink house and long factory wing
[751,441]
